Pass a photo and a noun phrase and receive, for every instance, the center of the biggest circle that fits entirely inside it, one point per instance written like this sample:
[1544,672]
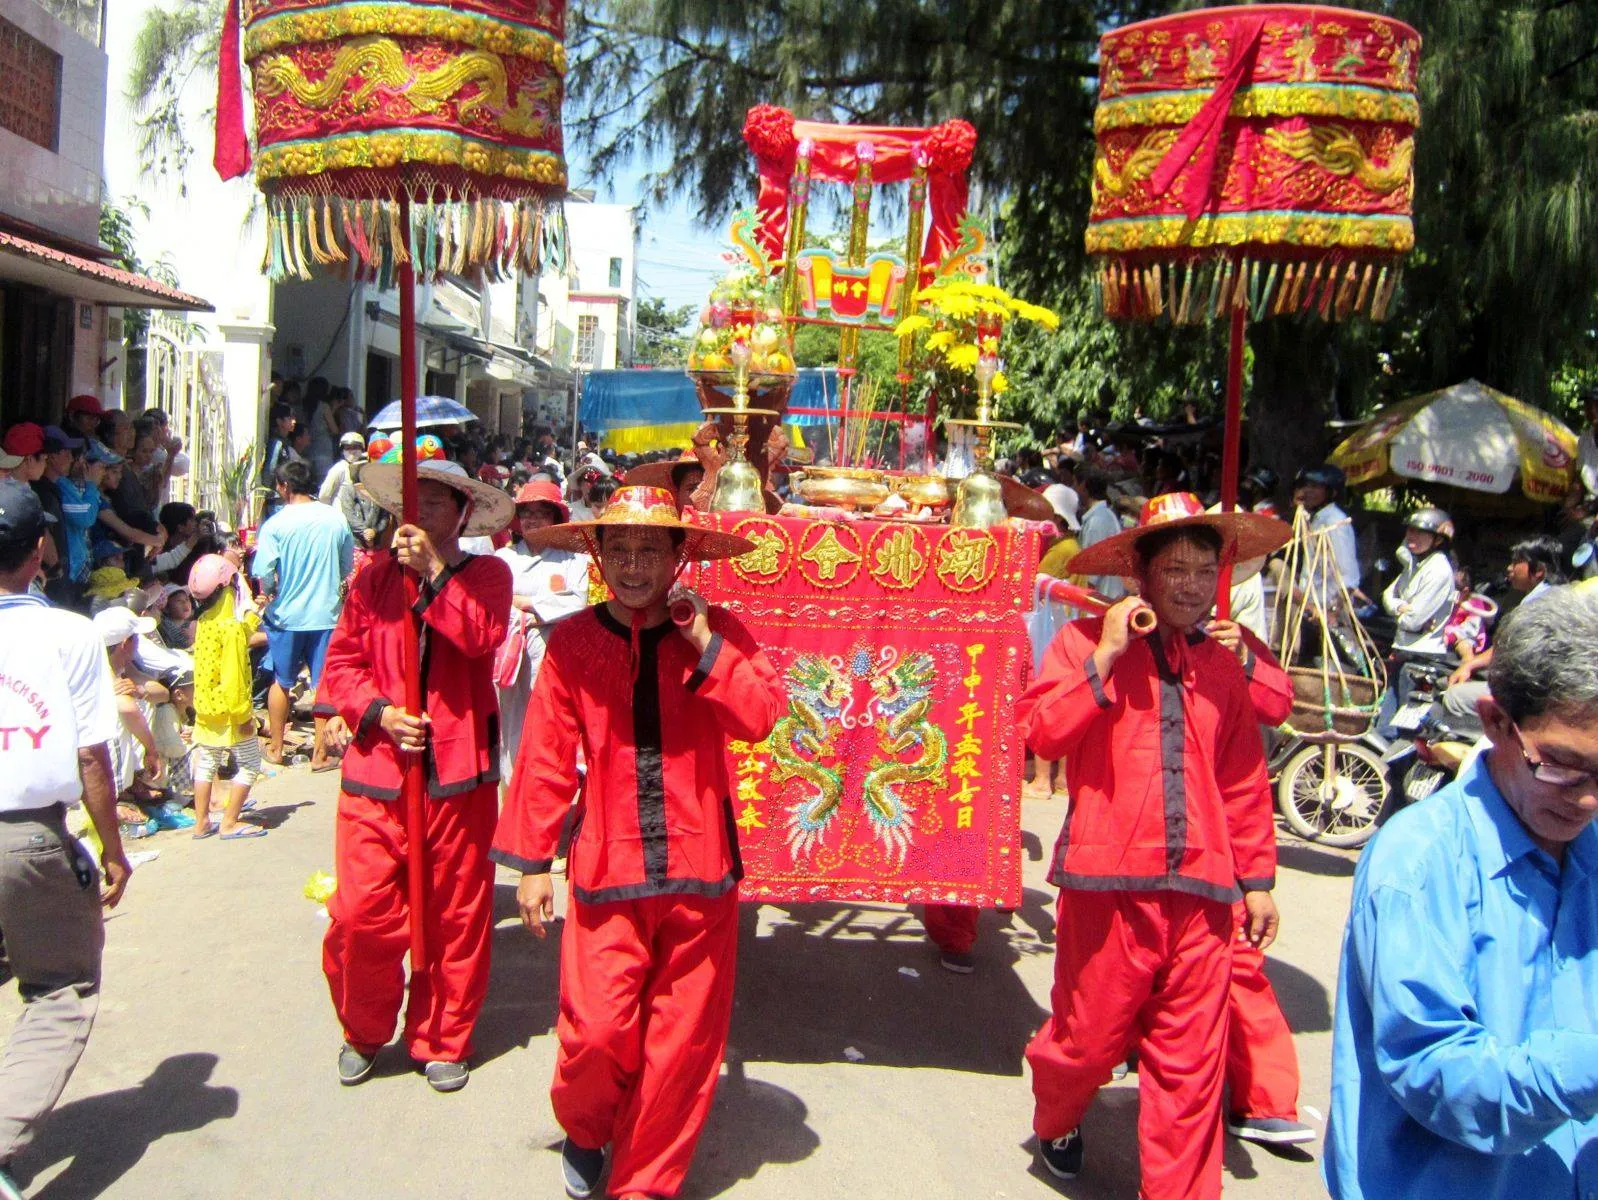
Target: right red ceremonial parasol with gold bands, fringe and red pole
[1254,162]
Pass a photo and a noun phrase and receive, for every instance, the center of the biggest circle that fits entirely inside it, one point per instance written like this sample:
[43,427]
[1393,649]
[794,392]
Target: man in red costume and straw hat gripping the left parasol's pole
[463,608]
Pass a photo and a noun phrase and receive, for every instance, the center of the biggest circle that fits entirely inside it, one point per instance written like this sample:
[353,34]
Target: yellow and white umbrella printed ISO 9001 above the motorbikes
[1468,437]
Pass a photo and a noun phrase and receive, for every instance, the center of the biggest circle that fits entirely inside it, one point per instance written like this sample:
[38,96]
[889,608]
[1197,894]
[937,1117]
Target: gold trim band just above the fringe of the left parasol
[386,151]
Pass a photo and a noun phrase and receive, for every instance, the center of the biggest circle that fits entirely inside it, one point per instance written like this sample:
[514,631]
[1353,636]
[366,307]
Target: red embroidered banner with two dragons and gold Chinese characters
[896,776]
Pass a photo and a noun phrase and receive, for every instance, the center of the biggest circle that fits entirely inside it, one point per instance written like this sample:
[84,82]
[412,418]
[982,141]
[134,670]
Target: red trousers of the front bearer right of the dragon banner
[1148,969]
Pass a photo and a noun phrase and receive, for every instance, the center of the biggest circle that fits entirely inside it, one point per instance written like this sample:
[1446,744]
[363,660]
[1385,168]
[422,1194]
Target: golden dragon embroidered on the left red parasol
[378,65]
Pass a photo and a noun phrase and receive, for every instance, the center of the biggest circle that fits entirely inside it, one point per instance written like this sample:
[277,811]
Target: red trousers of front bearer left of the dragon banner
[646,999]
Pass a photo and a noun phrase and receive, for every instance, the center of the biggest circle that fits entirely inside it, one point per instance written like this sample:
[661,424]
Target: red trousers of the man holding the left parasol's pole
[370,932]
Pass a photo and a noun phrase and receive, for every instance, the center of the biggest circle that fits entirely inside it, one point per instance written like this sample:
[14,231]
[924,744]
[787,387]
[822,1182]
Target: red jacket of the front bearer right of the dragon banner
[1166,768]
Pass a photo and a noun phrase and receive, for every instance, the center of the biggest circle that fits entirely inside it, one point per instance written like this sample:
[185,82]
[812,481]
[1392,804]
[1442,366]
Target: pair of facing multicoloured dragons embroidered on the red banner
[821,693]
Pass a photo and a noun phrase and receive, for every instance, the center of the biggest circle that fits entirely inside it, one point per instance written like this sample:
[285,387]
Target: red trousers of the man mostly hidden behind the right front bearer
[1262,1065]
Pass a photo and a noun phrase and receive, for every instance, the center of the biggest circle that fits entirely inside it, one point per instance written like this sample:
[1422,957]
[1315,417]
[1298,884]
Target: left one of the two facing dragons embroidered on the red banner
[817,694]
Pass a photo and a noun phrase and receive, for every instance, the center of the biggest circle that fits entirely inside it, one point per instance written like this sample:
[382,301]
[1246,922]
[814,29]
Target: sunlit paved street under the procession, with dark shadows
[859,1068]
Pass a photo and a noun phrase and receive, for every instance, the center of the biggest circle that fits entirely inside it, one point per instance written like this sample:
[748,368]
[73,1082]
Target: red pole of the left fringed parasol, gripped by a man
[415,777]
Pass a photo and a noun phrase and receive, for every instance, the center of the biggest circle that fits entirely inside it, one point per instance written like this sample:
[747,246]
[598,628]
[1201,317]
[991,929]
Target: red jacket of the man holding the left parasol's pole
[464,619]
